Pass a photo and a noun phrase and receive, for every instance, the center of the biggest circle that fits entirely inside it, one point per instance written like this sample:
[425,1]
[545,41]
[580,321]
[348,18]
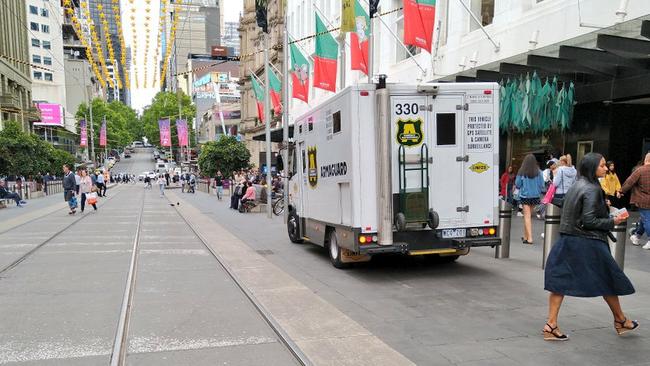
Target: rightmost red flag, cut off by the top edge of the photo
[419,17]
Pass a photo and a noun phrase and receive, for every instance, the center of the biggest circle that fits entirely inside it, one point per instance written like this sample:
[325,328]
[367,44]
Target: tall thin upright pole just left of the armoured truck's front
[285,116]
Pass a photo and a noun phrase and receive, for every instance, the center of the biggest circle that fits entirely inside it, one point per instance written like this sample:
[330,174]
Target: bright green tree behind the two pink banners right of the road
[165,104]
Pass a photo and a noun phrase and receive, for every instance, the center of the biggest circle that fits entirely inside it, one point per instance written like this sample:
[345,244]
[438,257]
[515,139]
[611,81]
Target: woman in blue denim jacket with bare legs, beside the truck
[530,183]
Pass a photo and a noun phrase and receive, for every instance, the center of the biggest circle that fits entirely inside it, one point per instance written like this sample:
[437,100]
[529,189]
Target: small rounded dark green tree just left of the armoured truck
[226,155]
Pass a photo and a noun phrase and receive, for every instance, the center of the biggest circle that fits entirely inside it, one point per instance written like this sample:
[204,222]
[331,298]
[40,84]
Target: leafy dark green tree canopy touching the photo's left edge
[27,154]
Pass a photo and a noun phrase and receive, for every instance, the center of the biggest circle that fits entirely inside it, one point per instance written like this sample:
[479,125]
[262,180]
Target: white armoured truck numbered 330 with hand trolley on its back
[396,168]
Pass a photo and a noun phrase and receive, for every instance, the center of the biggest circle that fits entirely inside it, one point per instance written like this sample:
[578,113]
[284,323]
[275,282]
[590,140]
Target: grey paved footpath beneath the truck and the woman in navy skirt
[478,311]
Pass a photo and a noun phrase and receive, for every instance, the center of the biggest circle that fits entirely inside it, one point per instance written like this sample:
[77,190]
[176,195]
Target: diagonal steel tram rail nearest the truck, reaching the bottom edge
[293,348]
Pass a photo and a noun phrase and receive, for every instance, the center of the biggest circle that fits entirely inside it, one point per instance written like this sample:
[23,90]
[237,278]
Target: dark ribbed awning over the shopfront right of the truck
[608,65]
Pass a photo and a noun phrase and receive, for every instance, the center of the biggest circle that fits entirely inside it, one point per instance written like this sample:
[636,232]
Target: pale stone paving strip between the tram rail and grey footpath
[323,333]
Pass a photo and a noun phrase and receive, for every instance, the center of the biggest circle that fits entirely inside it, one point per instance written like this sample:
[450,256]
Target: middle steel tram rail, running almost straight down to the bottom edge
[120,346]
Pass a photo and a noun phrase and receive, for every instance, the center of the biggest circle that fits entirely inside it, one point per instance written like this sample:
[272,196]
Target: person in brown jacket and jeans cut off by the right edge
[639,184]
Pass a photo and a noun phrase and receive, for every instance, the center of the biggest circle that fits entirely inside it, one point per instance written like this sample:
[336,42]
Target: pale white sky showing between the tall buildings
[142,96]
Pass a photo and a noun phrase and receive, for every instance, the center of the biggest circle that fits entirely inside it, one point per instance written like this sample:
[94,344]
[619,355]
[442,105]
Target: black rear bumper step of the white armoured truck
[415,246]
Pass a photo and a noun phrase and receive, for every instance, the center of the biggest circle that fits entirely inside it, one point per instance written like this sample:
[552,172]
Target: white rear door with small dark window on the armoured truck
[446,142]
